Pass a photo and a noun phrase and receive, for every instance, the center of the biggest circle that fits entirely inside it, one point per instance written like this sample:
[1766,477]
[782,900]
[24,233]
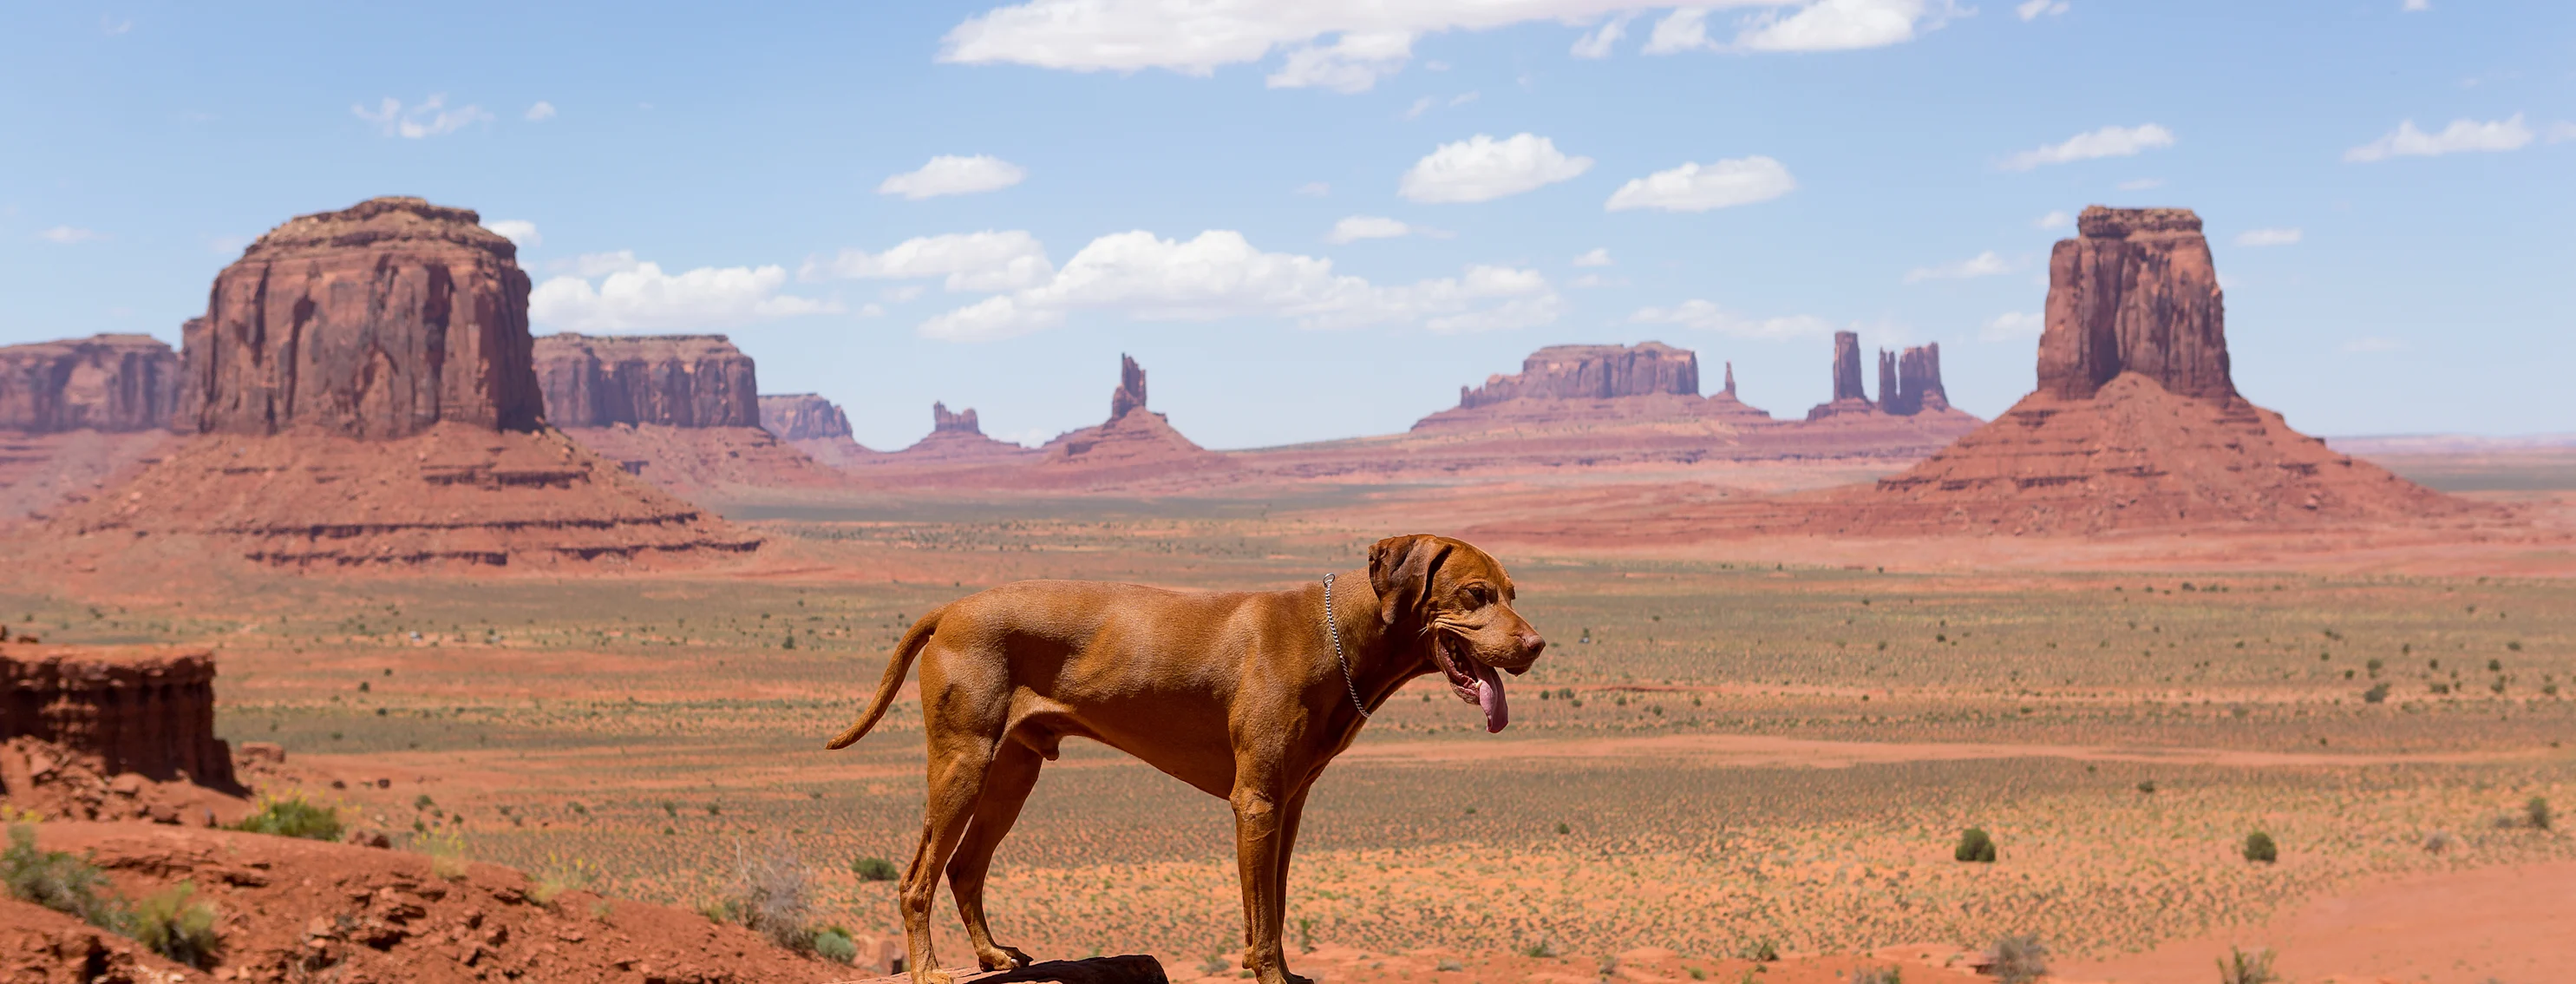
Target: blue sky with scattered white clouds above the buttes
[985,205]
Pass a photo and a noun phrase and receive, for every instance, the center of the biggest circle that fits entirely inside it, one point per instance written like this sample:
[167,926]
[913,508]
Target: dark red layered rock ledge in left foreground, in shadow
[135,710]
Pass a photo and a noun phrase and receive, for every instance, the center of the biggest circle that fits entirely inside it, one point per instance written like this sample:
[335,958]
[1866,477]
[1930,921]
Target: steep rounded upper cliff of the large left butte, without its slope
[375,323]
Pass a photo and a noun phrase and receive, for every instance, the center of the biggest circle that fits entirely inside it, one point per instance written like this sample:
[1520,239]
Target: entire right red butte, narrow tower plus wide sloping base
[2137,421]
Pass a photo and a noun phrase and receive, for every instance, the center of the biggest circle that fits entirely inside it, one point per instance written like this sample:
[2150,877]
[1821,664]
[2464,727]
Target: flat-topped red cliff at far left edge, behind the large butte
[104,383]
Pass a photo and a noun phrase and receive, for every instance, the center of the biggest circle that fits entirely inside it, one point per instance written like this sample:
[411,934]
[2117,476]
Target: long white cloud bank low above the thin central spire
[1222,277]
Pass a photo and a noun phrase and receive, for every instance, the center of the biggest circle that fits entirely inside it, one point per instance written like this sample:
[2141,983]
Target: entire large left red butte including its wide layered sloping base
[362,393]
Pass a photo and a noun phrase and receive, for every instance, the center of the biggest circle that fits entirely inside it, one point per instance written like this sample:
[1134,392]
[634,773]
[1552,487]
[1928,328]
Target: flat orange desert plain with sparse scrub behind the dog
[1730,748]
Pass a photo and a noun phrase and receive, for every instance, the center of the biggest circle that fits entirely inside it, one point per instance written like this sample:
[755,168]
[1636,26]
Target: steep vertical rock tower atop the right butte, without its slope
[2134,292]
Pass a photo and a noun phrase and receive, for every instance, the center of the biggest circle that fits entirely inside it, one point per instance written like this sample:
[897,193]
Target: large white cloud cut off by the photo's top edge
[1351,45]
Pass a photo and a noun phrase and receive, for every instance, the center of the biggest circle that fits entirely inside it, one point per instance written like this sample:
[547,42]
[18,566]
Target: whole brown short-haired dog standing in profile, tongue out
[1240,694]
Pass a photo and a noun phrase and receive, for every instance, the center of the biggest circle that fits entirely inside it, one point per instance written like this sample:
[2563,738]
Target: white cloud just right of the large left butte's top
[648,300]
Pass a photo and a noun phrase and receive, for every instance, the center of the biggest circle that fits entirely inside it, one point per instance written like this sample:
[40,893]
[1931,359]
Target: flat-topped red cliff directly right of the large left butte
[671,380]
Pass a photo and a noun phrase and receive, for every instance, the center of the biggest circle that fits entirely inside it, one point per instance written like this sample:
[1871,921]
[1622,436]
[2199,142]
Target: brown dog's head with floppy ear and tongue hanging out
[1459,604]
